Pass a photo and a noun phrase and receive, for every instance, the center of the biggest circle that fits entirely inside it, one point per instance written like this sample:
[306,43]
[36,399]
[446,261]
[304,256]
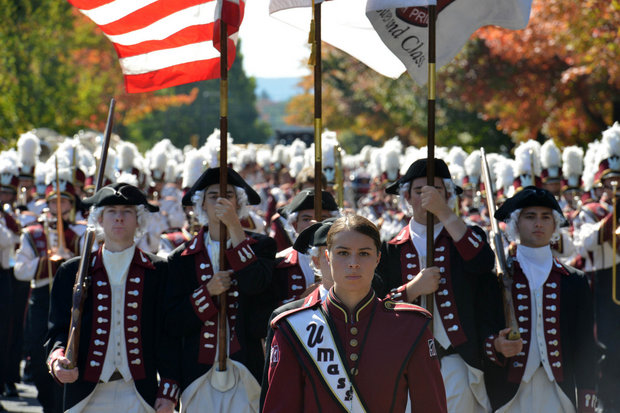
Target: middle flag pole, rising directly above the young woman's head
[315,60]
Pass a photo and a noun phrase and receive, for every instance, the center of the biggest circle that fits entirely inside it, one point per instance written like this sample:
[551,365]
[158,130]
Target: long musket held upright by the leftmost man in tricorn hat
[82,279]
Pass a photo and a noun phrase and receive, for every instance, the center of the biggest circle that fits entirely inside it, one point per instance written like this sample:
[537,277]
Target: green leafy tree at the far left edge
[36,81]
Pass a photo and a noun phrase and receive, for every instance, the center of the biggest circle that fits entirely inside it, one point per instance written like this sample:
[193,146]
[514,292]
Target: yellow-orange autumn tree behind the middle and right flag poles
[360,102]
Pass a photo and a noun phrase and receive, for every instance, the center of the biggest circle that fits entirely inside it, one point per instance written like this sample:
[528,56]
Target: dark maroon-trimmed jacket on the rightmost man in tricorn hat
[568,323]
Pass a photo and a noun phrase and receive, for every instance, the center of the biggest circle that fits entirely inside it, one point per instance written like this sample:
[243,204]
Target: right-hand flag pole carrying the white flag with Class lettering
[430,164]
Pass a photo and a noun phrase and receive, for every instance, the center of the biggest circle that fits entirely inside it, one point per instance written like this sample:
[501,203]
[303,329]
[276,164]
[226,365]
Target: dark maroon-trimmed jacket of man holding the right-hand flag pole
[466,267]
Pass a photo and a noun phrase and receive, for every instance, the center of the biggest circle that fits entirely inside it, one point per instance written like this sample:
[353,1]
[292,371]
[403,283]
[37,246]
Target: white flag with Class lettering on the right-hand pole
[403,26]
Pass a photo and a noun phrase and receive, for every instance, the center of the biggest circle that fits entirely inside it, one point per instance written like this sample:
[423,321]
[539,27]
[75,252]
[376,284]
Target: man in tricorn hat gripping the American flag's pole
[196,279]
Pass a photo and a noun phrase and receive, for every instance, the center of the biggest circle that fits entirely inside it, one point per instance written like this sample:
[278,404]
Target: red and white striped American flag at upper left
[165,43]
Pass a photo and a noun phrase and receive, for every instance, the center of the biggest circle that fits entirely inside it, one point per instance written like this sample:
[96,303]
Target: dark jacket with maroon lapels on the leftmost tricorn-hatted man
[149,351]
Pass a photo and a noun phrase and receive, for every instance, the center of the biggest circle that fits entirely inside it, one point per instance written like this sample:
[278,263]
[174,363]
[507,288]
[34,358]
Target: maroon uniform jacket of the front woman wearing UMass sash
[391,345]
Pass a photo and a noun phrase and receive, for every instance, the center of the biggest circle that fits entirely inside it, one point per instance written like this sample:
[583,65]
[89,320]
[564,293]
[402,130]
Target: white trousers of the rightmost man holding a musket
[539,395]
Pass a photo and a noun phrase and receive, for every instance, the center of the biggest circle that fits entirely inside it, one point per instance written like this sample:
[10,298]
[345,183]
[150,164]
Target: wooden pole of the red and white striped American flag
[222,331]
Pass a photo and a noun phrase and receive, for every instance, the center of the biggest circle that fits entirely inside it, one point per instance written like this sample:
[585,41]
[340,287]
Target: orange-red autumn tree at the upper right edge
[558,77]
